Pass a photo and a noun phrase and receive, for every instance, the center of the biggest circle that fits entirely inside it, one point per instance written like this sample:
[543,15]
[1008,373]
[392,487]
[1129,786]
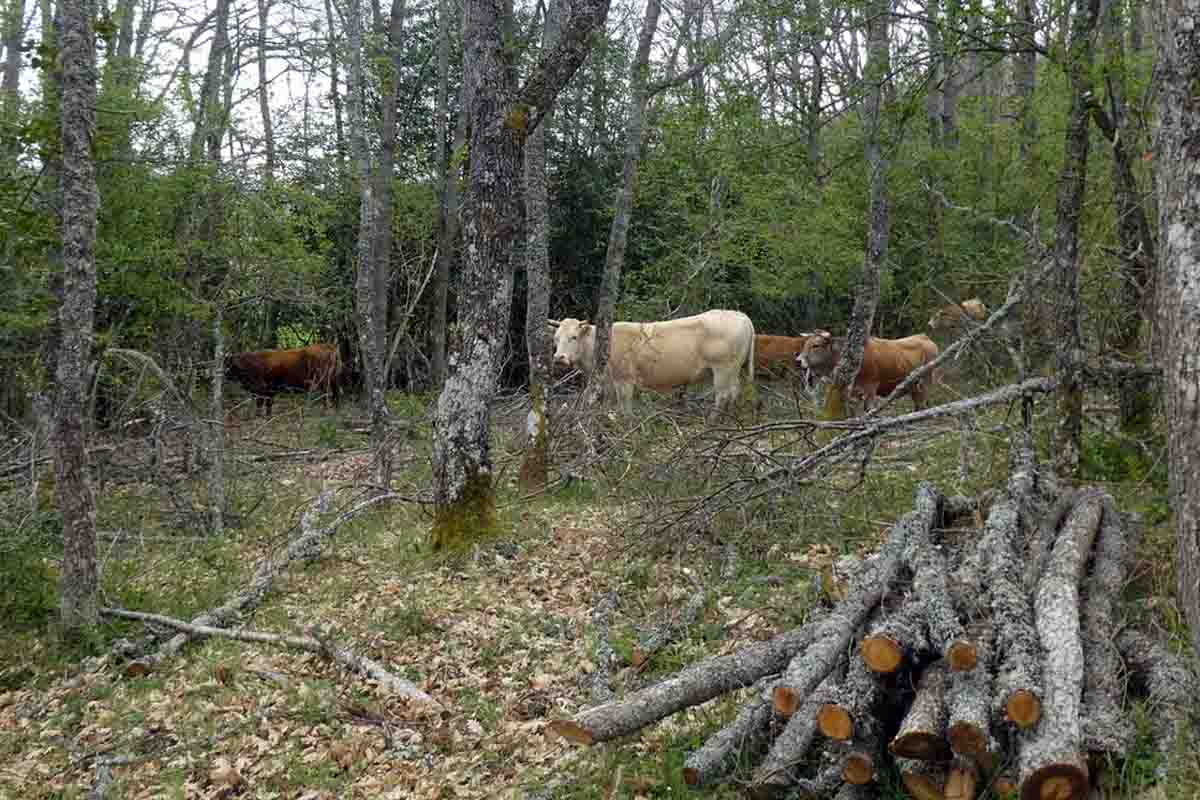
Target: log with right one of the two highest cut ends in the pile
[929,585]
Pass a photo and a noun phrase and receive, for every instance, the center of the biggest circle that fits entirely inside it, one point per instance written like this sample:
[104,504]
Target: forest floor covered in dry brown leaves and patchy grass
[501,636]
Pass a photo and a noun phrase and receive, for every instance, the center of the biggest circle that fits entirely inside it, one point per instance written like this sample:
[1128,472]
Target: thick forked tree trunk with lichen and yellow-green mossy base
[500,121]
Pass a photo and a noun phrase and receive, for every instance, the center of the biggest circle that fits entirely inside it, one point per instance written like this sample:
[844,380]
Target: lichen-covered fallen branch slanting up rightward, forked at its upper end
[304,549]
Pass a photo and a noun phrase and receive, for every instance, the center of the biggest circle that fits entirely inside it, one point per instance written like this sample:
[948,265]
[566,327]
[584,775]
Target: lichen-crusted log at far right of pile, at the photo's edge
[1172,691]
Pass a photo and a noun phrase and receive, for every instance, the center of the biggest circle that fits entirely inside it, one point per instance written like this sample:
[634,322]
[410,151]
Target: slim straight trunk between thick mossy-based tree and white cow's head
[537,460]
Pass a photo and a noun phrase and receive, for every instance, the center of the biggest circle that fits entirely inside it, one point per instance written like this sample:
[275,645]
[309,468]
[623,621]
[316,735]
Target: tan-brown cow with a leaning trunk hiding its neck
[886,363]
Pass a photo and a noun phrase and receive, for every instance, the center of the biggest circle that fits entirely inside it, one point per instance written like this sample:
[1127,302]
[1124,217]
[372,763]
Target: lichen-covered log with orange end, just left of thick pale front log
[1018,695]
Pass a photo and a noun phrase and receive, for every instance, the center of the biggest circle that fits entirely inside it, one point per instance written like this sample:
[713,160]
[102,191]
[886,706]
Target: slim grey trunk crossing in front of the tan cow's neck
[868,297]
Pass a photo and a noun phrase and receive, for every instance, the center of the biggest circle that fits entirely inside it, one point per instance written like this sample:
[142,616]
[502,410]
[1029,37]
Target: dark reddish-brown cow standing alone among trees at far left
[265,374]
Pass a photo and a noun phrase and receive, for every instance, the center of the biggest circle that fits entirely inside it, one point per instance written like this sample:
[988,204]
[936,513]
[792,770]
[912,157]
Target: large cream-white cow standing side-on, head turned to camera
[664,356]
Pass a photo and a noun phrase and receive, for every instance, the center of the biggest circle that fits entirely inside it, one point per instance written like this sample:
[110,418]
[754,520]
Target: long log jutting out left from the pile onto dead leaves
[694,685]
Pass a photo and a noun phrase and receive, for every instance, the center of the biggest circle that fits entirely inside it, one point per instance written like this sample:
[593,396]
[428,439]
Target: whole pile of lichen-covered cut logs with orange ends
[970,665]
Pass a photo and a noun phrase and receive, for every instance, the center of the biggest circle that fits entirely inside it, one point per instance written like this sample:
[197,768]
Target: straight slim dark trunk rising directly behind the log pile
[1072,185]
